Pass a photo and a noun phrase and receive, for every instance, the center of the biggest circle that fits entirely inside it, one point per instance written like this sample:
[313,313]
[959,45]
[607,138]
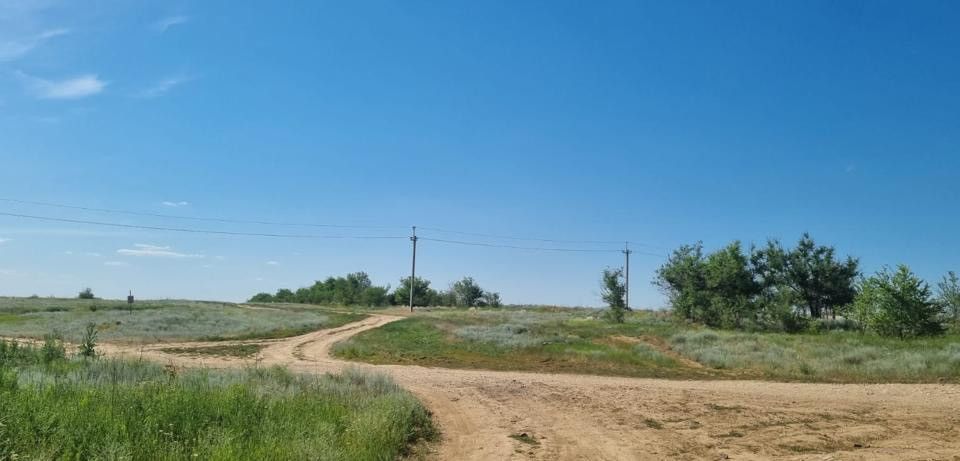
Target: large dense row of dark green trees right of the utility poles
[772,287]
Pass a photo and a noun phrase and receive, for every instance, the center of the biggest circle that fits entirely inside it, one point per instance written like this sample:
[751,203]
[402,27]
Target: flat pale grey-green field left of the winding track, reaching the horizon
[158,321]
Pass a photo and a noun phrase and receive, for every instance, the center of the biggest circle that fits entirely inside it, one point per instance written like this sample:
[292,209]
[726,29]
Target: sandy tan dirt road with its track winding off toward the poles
[487,415]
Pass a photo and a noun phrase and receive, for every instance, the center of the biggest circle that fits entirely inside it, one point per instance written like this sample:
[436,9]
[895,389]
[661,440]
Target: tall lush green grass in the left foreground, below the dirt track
[58,408]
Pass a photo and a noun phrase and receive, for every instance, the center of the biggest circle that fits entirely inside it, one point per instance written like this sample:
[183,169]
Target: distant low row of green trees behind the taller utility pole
[357,289]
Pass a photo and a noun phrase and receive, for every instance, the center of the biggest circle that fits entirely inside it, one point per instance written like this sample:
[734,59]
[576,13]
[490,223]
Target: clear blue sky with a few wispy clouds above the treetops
[661,123]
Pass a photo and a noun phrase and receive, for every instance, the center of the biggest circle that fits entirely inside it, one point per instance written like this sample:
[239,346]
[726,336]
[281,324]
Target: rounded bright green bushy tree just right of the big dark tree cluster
[899,304]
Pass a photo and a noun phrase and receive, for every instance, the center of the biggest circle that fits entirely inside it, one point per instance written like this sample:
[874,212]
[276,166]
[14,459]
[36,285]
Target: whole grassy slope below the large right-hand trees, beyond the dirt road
[648,345]
